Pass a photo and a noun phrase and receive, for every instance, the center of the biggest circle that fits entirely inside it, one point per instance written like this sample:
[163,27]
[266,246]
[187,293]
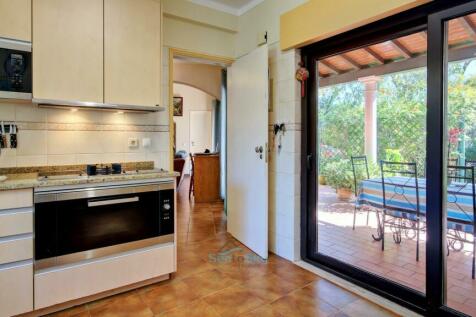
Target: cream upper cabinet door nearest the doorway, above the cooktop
[132,52]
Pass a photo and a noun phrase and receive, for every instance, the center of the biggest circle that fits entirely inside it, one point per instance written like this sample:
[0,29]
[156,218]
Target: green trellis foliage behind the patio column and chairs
[401,117]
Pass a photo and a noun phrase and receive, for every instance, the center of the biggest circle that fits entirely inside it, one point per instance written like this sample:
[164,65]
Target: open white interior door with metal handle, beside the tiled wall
[247,139]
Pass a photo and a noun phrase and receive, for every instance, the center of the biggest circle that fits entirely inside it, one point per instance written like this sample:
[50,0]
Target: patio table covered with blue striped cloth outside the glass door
[401,200]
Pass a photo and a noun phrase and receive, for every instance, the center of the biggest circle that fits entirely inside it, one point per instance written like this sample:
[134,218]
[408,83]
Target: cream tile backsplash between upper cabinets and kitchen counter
[84,142]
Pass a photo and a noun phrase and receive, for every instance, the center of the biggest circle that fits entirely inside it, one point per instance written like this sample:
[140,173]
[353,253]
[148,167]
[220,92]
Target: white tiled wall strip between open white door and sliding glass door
[284,164]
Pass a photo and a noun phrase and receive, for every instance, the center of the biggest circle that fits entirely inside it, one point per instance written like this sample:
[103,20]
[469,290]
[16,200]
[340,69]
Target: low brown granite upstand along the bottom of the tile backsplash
[62,169]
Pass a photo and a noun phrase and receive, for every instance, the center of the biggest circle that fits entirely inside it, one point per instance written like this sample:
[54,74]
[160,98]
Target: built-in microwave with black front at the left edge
[15,69]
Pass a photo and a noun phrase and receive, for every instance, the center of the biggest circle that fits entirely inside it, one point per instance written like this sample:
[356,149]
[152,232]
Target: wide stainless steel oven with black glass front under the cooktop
[77,224]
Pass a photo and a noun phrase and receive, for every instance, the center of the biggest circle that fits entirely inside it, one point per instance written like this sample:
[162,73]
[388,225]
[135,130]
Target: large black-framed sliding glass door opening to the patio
[390,151]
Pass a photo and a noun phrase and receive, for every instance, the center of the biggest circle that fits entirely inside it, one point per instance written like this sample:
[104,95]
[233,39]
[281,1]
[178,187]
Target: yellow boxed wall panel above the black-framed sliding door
[320,19]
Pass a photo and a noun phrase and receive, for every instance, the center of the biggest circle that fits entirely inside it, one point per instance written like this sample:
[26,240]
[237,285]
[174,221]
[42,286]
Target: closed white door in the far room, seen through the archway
[200,131]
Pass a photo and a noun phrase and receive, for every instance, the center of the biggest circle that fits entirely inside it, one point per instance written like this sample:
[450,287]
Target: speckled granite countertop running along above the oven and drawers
[31,180]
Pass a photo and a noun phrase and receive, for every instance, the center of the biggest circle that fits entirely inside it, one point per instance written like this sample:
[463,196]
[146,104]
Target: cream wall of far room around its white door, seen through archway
[193,100]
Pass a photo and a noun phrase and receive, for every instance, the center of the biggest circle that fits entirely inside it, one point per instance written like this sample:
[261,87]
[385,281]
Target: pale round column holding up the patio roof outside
[370,91]
